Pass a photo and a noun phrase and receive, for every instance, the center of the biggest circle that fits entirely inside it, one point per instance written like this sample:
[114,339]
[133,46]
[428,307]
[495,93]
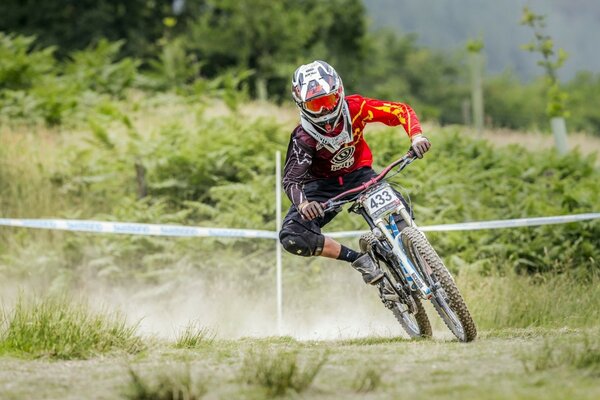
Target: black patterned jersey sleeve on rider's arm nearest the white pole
[296,170]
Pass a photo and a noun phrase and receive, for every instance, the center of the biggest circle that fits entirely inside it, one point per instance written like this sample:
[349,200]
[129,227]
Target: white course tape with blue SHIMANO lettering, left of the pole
[135,228]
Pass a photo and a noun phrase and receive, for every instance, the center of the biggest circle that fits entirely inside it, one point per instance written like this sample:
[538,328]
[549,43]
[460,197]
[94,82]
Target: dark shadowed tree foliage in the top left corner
[75,24]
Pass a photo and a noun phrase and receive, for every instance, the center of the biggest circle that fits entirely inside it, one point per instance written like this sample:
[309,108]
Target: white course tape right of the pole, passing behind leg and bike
[506,223]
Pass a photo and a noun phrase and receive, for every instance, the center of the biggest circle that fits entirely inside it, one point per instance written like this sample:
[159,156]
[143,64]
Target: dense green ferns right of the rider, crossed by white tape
[469,180]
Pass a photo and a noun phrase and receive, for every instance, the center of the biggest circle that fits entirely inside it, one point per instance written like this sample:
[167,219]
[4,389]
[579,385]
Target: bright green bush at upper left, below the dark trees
[38,89]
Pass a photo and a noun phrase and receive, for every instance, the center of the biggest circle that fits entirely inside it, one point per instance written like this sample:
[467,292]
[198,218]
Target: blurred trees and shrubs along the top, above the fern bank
[252,45]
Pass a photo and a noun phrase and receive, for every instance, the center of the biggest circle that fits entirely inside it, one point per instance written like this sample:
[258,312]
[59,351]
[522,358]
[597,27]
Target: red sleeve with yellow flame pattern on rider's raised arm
[391,114]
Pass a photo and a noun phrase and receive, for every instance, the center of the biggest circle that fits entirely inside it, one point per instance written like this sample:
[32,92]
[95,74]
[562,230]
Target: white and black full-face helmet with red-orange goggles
[319,93]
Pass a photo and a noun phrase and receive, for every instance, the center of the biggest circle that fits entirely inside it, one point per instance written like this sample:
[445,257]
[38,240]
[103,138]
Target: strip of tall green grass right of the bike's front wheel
[520,301]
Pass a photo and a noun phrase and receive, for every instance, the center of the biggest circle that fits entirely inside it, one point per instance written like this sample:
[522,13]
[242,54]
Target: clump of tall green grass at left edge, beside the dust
[55,327]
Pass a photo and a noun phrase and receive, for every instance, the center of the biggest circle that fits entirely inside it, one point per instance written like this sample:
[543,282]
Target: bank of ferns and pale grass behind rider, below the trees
[219,171]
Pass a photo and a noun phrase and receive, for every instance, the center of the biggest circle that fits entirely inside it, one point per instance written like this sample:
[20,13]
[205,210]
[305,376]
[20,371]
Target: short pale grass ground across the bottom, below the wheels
[516,364]
